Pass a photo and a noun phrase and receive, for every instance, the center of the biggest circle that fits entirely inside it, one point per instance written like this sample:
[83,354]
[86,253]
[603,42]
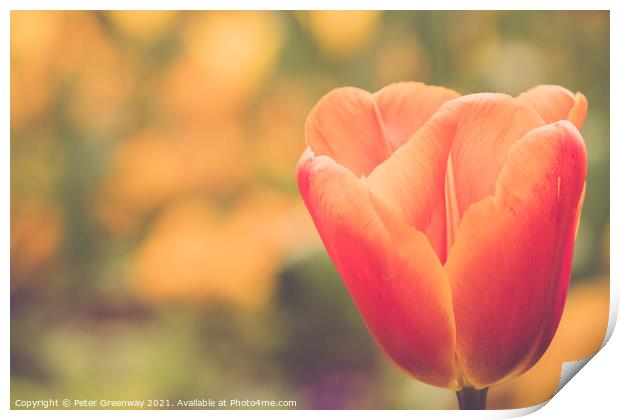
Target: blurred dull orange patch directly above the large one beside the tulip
[153,166]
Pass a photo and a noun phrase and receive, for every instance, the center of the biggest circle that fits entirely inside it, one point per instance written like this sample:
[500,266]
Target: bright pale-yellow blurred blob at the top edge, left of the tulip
[228,57]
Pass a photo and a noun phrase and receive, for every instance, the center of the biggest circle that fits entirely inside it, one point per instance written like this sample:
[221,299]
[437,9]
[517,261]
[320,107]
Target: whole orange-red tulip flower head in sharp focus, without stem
[450,219]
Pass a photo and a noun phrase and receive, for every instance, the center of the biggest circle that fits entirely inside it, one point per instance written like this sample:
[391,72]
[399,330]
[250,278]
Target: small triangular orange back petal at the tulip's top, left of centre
[406,106]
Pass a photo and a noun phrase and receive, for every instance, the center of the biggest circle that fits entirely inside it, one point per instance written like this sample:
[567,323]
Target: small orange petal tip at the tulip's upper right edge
[555,103]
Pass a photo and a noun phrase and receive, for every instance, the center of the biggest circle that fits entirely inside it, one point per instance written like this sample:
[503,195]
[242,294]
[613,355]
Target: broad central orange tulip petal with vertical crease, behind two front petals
[451,162]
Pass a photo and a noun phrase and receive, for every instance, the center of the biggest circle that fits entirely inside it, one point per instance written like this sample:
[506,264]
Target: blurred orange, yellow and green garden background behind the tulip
[159,248]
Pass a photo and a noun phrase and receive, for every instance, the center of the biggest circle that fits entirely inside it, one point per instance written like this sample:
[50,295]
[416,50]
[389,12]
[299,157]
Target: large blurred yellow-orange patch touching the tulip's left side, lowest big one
[195,252]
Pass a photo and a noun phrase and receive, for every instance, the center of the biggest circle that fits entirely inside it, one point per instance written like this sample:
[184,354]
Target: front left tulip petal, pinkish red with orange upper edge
[390,269]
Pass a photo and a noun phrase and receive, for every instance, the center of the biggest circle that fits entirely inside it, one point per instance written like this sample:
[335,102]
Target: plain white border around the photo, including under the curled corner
[595,391]
